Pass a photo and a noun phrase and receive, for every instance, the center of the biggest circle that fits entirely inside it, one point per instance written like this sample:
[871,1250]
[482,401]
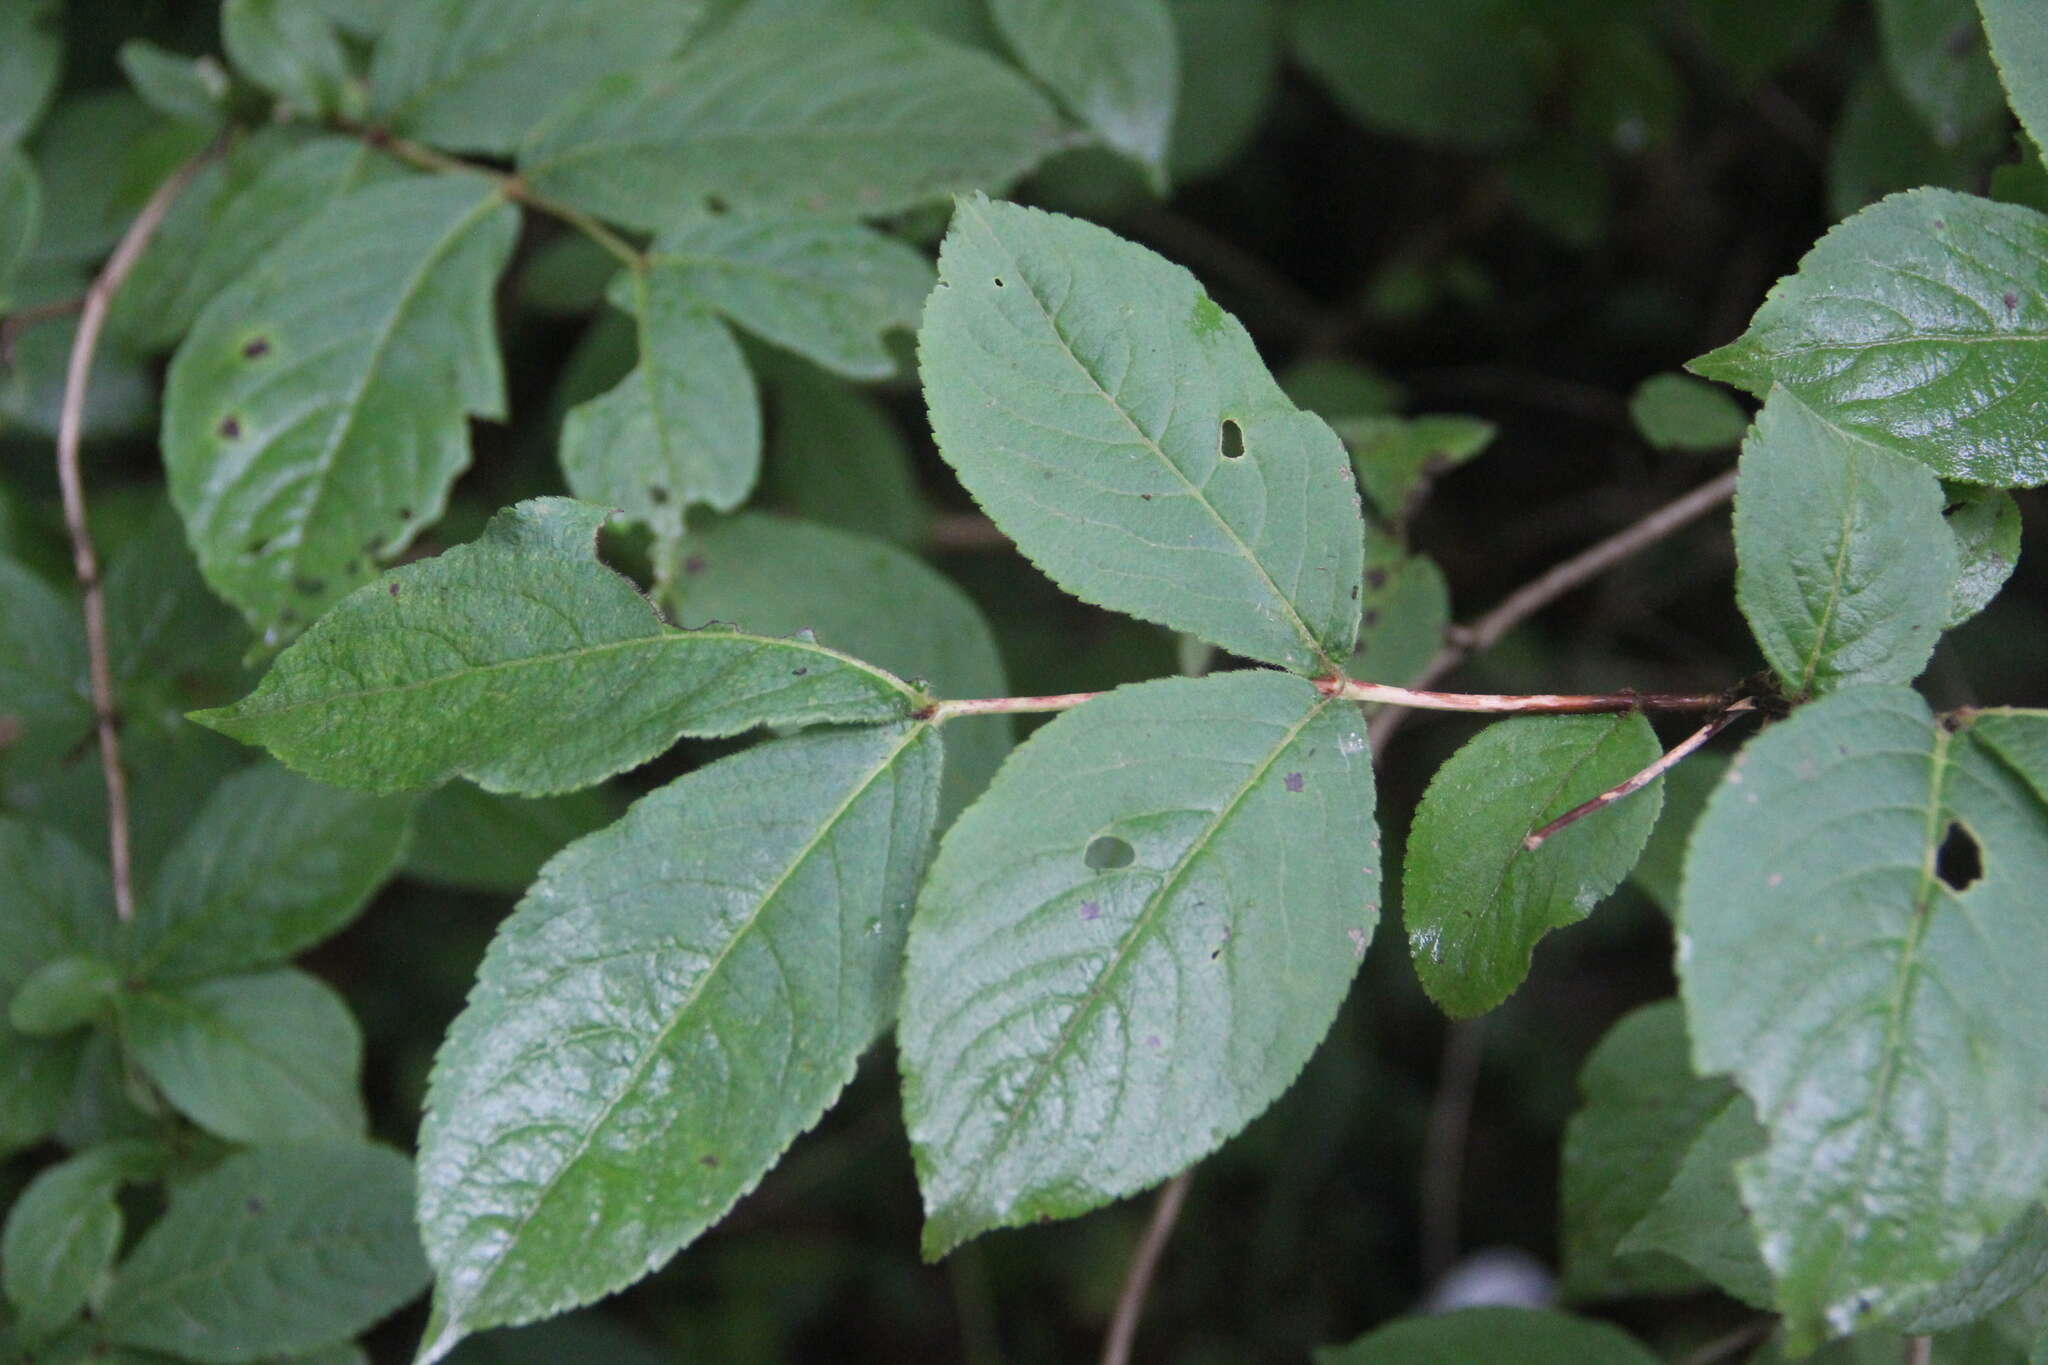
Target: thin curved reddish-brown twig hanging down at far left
[85,560]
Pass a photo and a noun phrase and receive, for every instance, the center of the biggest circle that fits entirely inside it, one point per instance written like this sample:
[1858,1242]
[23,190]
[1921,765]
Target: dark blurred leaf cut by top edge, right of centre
[1459,73]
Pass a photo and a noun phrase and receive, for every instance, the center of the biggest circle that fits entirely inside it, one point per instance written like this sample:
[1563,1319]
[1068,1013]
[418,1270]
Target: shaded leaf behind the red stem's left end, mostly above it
[777,576]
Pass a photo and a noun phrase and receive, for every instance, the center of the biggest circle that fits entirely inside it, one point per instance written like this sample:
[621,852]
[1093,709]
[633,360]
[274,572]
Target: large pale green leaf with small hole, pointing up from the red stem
[1121,429]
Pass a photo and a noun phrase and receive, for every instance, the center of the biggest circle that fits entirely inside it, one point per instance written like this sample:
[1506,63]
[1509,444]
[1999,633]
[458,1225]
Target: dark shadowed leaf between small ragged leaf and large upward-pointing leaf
[837,457]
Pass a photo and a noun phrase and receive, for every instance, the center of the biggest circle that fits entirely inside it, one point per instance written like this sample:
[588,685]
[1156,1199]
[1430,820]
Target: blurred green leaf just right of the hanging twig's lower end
[267,869]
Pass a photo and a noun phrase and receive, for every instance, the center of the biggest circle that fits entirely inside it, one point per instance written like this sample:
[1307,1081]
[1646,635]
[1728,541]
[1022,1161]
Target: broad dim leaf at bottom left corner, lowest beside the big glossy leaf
[275,1251]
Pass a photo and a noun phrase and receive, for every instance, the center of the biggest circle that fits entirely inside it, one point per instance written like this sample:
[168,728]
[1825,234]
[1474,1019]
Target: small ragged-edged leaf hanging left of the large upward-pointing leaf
[683,429]
